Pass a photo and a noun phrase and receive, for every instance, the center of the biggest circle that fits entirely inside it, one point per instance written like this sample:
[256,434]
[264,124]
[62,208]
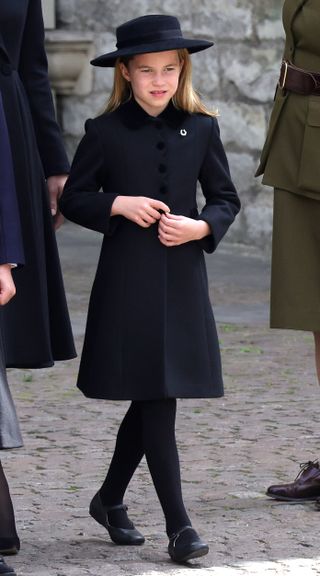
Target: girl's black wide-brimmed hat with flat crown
[154,33]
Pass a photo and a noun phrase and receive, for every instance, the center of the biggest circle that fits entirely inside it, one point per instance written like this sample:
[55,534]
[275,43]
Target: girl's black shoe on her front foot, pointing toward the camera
[185,545]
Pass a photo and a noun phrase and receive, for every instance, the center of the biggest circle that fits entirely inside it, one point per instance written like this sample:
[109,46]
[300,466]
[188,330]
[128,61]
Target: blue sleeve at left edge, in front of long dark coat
[11,247]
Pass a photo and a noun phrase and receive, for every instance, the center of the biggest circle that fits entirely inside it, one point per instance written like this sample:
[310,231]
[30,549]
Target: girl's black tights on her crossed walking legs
[148,428]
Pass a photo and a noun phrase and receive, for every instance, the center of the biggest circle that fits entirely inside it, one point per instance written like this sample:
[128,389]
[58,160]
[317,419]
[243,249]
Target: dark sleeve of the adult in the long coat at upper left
[33,70]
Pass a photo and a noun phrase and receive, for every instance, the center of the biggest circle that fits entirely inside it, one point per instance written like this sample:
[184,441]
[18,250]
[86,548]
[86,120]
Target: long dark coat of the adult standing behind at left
[35,324]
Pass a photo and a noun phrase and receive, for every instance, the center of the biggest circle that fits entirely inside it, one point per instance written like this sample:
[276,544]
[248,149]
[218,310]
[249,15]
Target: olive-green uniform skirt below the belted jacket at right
[295,272]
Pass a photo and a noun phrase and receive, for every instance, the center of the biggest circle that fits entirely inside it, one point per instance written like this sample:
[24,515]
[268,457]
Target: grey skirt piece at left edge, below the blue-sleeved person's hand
[10,436]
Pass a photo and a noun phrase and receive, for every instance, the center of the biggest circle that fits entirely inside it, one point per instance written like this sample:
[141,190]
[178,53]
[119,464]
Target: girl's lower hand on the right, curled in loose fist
[175,230]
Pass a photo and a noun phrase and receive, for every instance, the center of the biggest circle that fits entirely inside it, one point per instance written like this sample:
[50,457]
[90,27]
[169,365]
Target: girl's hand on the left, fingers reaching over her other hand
[139,209]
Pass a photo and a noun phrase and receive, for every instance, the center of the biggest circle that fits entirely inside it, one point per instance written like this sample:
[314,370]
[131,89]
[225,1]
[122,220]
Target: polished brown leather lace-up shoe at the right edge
[305,487]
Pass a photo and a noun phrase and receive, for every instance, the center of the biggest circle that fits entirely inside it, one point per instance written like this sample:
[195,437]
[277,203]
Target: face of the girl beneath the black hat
[154,79]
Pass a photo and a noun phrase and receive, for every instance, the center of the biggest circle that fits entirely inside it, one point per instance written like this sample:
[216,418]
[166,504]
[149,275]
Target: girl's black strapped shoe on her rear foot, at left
[124,536]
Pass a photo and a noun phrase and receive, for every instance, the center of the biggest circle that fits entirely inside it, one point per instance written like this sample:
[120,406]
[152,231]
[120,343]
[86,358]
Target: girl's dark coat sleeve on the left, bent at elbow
[82,201]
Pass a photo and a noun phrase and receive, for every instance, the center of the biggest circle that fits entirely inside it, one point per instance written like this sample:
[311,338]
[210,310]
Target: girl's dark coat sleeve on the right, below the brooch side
[222,201]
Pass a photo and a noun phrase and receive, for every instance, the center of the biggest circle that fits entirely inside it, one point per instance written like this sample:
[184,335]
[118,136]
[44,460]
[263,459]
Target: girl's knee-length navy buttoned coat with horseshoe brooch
[150,330]
